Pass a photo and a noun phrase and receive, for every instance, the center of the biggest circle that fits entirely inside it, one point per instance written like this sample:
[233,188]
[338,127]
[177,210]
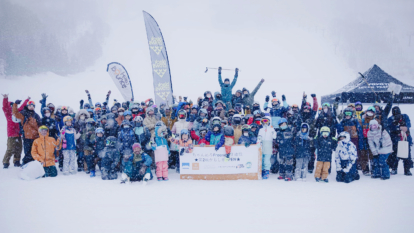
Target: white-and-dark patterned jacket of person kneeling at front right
[345,151]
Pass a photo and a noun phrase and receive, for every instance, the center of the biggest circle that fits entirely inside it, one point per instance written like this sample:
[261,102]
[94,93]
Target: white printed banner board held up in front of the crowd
[207,163]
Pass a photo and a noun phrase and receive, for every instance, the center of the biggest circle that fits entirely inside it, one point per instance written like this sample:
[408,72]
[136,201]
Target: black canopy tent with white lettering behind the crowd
[378,81]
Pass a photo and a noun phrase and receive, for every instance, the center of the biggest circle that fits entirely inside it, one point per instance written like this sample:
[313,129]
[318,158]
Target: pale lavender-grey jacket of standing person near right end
[379,141]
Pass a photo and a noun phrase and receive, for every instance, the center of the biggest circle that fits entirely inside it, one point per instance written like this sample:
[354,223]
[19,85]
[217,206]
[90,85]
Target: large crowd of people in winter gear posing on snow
[134,138]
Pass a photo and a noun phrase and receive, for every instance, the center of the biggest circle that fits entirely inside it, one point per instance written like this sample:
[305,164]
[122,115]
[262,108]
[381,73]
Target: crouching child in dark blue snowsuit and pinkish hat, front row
[137,167]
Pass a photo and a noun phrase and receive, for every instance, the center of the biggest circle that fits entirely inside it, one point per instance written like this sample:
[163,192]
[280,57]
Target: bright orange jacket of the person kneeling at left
[43,150]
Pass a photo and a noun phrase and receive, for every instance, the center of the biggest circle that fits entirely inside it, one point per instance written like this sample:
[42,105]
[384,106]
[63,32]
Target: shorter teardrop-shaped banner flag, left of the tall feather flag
[121,79]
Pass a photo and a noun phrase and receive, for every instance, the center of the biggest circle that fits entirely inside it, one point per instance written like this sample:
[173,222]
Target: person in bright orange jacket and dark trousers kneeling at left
[43,150]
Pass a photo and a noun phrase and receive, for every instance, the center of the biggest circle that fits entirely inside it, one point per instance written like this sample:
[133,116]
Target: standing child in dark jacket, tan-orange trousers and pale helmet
[325,145]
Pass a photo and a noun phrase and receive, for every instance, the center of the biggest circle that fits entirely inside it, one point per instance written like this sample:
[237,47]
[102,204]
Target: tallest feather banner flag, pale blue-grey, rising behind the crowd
[159,61]
